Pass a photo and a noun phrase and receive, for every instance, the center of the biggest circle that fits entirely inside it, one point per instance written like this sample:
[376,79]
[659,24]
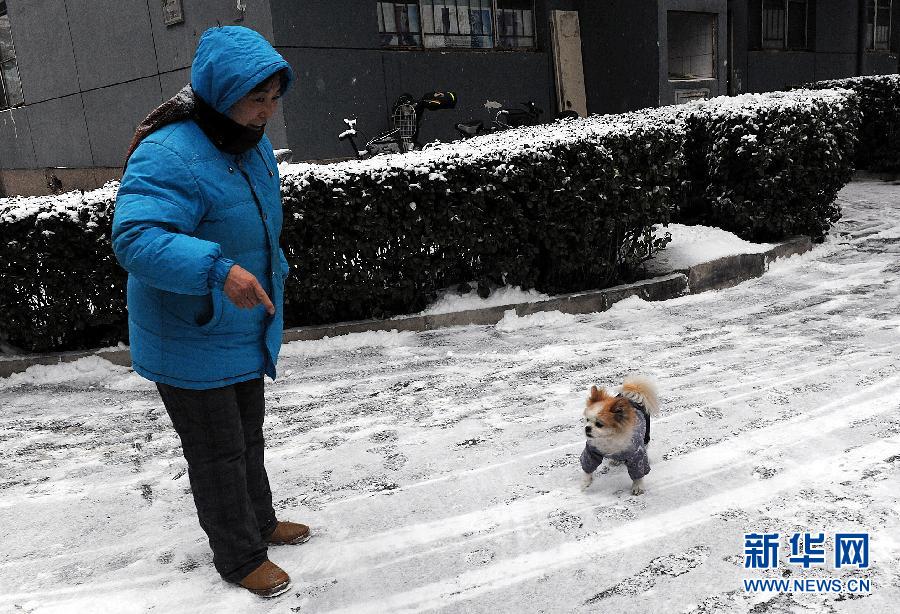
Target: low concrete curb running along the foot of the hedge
[713,275]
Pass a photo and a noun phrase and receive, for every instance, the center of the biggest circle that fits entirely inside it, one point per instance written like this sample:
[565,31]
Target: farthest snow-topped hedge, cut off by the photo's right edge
[879,134]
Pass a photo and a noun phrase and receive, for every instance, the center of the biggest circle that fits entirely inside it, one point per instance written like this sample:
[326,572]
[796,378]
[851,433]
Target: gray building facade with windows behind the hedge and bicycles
[78,76]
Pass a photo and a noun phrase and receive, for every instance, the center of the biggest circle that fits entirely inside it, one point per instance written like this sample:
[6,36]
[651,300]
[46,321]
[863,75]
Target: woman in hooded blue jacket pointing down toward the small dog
[197,223]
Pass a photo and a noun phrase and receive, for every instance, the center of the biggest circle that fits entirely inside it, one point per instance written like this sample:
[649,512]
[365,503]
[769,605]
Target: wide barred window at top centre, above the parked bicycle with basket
[471,24]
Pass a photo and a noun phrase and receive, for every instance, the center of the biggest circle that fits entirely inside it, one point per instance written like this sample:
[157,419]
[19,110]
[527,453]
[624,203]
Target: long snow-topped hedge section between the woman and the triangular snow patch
[559,207]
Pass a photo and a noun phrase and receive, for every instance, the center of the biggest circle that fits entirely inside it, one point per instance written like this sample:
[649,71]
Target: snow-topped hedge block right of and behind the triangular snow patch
[768,166]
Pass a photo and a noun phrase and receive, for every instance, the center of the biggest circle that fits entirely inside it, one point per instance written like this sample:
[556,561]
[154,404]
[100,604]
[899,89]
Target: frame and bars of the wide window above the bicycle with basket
[420,35]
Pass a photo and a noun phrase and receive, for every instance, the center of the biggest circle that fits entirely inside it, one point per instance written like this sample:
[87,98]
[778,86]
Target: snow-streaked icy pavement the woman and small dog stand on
[440,470]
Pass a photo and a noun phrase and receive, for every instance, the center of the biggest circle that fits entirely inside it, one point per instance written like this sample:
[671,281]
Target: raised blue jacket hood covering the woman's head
[230,61]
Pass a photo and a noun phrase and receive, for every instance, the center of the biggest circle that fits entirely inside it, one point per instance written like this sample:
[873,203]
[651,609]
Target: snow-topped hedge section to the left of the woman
[60,285]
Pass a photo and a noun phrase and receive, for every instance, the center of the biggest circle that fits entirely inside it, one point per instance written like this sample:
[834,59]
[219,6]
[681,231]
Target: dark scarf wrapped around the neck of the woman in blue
[225,133]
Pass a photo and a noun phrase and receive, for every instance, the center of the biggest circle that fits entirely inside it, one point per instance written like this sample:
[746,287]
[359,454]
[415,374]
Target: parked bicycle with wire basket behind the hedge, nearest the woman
[406,115]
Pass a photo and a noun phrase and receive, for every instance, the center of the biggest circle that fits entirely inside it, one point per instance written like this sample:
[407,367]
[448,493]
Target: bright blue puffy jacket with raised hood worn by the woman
[185,213]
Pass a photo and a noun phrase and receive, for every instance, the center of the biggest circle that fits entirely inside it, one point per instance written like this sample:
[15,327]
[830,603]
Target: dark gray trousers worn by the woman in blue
[221,436]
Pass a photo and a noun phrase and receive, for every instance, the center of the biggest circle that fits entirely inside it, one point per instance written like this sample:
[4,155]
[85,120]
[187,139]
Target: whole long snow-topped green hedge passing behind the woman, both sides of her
[562,207]
